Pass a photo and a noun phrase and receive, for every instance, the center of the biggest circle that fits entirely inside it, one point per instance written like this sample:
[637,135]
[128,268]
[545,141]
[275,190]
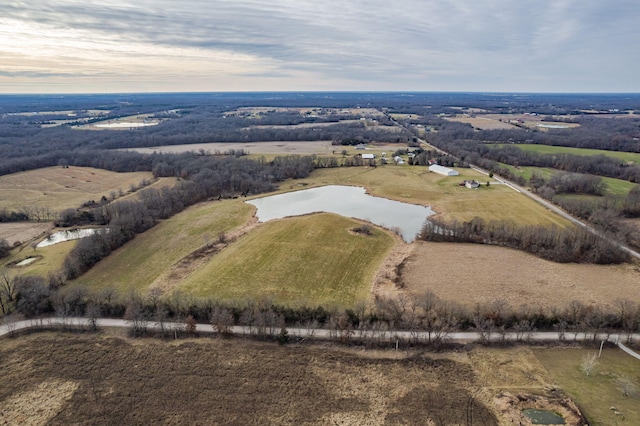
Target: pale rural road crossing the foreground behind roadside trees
[321,333]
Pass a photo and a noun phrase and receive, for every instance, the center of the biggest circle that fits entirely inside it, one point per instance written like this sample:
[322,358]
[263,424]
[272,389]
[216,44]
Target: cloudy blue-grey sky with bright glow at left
[72,46]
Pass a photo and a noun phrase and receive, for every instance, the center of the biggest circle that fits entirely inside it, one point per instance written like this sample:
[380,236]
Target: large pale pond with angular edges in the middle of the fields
[349,201]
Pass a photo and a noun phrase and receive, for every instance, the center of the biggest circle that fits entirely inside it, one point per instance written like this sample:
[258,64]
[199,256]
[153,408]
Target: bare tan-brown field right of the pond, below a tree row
[469,274]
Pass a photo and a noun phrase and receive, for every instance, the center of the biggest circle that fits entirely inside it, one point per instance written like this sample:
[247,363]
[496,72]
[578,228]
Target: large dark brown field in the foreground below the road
[106,378]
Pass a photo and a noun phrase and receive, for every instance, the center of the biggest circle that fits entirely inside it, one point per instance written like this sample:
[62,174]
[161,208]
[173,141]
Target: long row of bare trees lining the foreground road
[426,313]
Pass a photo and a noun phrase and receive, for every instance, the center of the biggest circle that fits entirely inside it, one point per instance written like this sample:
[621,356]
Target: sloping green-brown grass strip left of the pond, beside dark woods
[140,262]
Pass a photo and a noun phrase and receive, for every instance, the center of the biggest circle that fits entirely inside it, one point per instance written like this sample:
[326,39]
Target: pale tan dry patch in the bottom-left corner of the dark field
[37,406]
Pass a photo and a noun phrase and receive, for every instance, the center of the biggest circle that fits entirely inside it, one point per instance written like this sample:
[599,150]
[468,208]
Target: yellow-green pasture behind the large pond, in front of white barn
[416,185]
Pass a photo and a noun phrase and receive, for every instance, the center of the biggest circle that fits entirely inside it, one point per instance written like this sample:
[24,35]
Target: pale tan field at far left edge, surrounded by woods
[57,188]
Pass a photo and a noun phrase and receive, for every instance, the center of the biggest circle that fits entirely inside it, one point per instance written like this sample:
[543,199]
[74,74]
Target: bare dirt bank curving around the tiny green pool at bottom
[511,406]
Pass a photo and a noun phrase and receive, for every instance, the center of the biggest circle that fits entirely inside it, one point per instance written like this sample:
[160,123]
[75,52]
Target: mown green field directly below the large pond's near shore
[308,260]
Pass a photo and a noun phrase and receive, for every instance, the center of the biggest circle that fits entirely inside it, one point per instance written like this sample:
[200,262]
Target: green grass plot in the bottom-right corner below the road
[600,391]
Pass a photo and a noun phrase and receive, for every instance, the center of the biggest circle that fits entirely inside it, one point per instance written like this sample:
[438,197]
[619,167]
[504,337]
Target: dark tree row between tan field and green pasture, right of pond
[564,245]
